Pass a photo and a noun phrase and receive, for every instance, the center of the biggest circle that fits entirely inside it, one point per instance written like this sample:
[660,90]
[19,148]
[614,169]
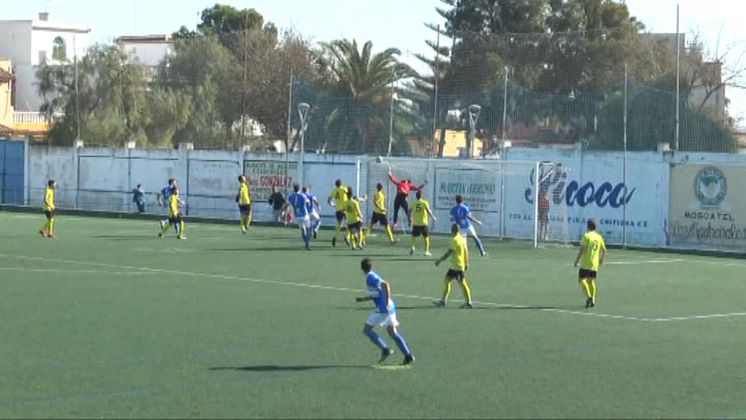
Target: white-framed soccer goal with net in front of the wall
[513,199]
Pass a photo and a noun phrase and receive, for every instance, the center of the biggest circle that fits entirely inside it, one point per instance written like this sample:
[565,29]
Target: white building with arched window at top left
[28,43]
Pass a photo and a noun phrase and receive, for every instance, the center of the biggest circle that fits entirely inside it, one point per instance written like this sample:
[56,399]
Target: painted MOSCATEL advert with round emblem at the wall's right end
[708,208]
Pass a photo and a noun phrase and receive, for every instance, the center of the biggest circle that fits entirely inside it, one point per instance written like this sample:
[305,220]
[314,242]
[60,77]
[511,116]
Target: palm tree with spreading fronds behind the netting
[367,81]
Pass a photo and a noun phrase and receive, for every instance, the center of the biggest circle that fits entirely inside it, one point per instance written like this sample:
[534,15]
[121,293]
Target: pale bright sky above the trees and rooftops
[387,23]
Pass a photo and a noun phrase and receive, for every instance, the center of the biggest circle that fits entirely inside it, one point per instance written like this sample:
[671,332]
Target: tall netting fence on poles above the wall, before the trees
[244,89]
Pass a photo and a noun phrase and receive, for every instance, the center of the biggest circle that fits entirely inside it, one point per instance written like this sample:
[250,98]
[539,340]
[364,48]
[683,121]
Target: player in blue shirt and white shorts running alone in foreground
[379,292]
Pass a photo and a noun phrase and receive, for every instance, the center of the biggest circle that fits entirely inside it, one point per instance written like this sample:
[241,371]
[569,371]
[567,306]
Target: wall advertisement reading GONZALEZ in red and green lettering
[265,174]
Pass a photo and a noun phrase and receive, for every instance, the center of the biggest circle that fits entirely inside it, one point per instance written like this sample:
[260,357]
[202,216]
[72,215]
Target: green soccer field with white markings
[110,321]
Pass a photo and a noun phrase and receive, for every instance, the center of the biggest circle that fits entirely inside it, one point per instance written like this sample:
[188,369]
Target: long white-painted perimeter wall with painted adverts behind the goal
[101,179]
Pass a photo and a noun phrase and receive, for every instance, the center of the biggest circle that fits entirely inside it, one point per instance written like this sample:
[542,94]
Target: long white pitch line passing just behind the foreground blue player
[148,270]
